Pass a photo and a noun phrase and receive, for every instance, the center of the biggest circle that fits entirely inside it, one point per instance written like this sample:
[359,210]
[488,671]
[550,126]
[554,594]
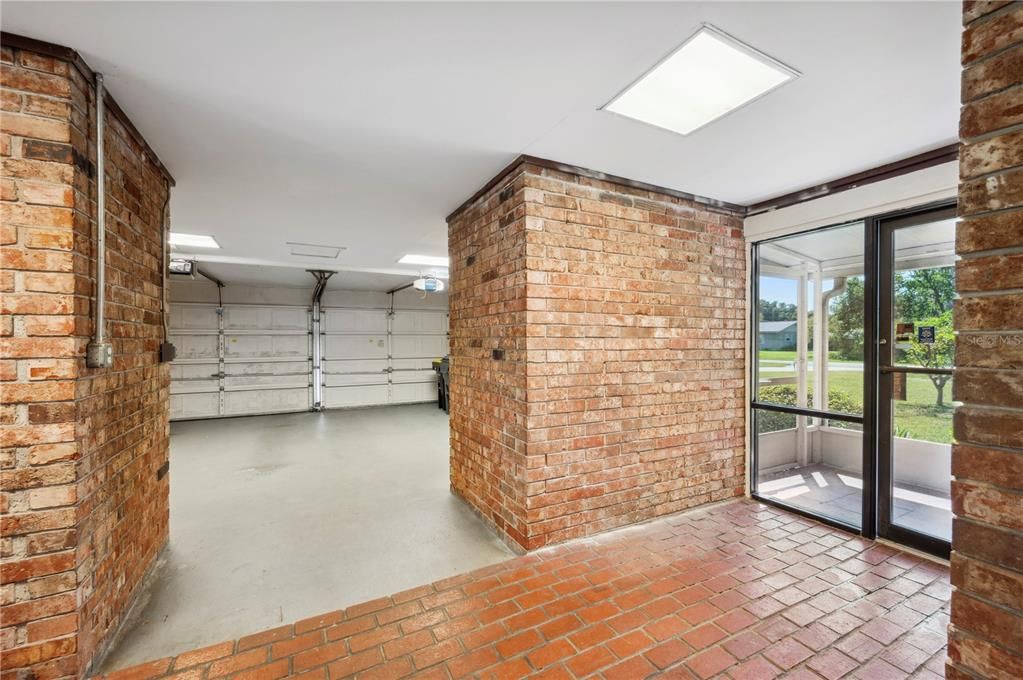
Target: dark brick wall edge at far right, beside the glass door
[987,630]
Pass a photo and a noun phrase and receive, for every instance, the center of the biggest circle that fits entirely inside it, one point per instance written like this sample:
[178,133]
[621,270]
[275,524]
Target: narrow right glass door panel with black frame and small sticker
[916,353]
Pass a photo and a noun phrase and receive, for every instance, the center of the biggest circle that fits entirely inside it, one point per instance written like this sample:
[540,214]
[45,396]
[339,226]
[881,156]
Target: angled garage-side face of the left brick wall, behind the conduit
[123,426]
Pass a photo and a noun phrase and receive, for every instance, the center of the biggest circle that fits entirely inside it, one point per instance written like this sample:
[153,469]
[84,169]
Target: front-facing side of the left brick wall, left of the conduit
[40,367]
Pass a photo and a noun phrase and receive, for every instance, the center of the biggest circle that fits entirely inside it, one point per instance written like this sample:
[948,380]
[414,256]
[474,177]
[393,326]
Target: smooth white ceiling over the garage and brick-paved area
[365,125]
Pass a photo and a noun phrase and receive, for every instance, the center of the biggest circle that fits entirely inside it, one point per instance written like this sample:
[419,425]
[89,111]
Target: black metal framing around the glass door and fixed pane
[876,422]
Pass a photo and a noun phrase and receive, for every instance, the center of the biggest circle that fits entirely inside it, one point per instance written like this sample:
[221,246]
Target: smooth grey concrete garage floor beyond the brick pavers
[280,518]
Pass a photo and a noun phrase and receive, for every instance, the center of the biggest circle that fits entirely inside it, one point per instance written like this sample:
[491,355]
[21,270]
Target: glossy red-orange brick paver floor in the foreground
[736,591]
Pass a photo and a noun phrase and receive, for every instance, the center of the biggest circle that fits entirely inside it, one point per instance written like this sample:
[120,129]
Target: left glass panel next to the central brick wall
[809,380]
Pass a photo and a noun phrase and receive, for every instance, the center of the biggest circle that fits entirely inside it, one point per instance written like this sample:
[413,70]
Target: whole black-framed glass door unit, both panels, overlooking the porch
[852,405]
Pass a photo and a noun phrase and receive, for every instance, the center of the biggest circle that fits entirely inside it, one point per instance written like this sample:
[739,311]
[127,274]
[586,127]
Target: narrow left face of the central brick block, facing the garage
[487,312]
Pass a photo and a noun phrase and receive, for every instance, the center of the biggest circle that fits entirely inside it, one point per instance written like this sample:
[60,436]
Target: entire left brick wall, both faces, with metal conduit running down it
[84,513]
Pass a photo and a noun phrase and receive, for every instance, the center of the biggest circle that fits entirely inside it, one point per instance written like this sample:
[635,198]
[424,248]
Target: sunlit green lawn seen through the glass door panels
[917,418]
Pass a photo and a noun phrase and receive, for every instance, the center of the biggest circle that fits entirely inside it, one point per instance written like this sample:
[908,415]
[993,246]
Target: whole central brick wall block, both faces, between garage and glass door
[620,312]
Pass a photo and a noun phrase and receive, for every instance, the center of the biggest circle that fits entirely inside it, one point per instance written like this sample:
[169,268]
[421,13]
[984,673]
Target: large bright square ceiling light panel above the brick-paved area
[709,76]
